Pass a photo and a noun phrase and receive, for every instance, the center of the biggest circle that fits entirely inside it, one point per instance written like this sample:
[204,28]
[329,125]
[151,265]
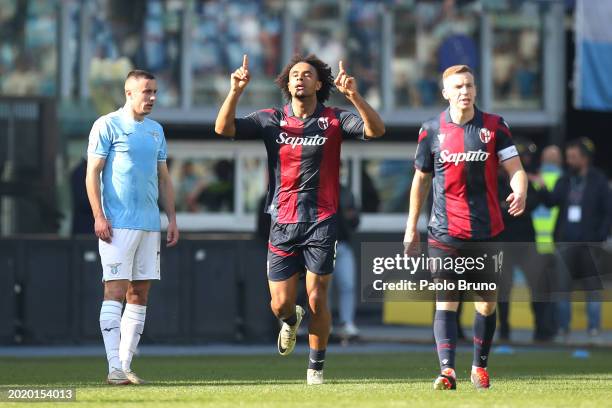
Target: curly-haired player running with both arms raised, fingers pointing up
[303,144]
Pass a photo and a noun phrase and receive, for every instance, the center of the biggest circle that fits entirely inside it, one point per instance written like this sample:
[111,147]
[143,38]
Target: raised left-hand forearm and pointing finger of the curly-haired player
[224,125]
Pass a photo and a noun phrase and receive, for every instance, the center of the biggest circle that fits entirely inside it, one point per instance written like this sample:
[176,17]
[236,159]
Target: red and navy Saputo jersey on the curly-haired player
[303,159]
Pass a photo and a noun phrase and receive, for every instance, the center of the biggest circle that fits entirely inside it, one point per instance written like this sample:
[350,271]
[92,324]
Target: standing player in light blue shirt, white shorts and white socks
[128,151]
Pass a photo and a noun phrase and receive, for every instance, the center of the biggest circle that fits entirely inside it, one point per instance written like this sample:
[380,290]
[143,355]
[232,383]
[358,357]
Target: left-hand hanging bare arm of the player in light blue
[102,226]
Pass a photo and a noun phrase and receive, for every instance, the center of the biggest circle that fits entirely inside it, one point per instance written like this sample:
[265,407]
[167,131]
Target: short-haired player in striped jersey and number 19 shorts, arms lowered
[462,149]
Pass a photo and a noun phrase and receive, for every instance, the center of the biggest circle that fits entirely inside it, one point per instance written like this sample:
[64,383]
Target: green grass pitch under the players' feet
[529,378]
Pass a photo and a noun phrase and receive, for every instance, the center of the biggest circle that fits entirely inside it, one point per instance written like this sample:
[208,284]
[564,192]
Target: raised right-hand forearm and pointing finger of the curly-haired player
[373,124]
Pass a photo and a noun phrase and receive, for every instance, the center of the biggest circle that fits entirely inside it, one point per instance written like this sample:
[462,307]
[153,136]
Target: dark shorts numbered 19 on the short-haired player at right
[479,263]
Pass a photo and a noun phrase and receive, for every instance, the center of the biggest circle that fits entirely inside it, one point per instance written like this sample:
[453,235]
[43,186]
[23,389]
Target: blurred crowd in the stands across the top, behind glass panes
[426,37]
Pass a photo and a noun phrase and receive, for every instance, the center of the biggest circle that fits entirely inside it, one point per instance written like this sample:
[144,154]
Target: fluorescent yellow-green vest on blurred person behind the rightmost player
[545,219]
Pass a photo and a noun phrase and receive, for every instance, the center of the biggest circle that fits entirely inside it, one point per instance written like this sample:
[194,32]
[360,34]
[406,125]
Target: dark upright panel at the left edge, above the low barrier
[29,142]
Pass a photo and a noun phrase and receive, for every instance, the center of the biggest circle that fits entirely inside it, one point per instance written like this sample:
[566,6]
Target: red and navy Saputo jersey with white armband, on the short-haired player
[464,161]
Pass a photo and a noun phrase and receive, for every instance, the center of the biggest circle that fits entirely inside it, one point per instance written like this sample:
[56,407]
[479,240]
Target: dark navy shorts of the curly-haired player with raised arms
[302,246]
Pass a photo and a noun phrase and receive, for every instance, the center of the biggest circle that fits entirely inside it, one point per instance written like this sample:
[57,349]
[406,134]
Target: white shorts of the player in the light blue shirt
[132,255]
